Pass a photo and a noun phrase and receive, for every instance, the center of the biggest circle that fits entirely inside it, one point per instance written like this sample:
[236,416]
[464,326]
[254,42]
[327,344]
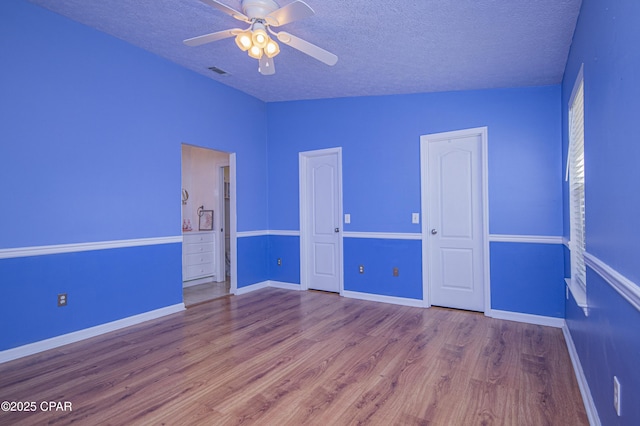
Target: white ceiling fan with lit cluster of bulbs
[261,15]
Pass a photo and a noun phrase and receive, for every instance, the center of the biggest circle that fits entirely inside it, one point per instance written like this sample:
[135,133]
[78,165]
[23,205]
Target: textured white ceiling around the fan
[384,46]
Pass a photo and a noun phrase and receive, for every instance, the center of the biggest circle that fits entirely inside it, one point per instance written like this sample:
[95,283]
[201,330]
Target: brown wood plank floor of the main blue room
[274,357]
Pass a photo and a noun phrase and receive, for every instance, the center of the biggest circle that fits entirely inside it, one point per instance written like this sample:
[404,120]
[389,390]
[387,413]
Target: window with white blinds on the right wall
[575,171]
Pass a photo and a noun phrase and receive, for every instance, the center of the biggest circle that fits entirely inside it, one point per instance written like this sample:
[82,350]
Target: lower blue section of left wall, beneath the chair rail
[102,286]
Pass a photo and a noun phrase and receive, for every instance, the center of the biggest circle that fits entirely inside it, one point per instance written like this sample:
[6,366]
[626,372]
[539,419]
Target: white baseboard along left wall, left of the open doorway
[76,336]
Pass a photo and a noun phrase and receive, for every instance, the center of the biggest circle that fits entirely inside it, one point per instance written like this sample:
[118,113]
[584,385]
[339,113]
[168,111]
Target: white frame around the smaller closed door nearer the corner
[305,226]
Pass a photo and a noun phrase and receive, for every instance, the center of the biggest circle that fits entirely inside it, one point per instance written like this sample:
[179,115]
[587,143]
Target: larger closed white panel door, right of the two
[454,226]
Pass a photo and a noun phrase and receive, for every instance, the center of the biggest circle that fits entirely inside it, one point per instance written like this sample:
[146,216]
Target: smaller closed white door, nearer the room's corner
[320,197]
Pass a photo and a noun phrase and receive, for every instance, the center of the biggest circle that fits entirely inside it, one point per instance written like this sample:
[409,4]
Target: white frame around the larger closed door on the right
[424,202]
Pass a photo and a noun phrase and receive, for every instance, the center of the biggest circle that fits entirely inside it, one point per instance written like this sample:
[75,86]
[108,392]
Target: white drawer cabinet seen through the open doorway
[198,255]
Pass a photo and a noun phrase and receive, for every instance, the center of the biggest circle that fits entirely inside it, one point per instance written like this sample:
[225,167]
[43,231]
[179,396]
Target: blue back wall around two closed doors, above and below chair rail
[380,140]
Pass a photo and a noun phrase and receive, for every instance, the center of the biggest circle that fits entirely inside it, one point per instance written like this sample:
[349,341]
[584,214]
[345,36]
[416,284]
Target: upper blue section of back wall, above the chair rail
[380,137]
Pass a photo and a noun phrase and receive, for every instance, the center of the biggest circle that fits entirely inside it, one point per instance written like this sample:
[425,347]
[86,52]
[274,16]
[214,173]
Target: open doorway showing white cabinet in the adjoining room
[207,259]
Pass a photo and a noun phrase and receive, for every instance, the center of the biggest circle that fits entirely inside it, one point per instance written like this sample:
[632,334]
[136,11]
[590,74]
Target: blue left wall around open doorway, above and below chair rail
[91,151]
